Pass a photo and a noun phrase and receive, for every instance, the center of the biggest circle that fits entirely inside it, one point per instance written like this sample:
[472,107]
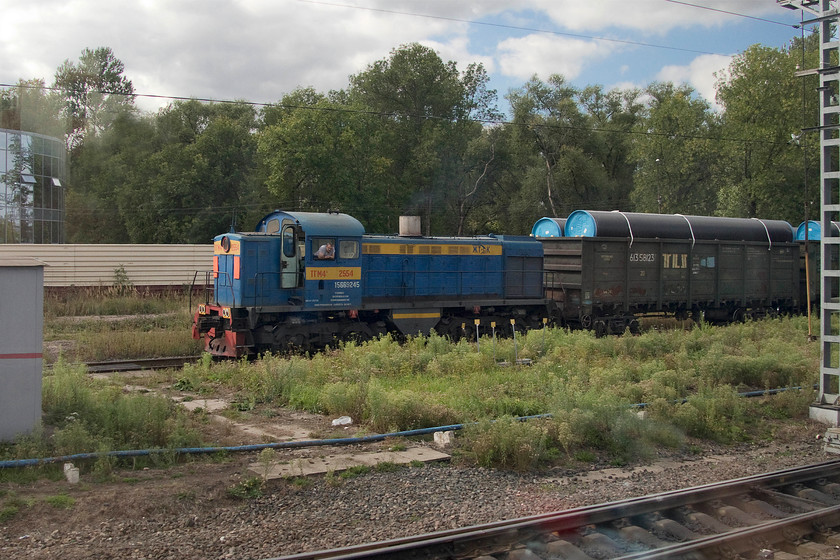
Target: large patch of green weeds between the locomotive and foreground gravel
[688,382]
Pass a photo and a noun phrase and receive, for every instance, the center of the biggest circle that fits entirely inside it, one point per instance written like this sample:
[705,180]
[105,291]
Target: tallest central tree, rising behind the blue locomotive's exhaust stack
[430,114]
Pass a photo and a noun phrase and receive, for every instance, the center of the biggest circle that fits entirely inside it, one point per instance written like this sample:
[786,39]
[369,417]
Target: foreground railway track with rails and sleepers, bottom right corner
[793,513]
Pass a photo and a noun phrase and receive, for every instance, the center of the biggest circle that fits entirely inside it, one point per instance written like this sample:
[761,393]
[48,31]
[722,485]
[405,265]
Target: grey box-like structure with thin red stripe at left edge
[21,345]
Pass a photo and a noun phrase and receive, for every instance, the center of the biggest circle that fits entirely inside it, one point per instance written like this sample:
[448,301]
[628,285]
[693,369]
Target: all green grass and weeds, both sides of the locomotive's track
[688,381]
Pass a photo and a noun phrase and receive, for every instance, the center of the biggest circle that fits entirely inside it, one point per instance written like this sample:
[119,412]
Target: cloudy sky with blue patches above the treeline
[260,50]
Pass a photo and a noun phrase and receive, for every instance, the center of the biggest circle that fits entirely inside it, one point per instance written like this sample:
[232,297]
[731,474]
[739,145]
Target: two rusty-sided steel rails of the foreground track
[487,539]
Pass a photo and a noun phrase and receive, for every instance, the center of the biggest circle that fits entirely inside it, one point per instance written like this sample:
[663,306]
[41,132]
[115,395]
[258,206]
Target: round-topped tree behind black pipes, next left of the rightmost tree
[676,153]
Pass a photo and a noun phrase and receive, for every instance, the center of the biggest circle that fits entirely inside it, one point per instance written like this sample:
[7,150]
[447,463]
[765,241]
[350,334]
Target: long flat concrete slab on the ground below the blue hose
[341,462]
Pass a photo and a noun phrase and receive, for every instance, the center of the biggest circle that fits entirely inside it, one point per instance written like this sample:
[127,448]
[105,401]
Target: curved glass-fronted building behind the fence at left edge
[33,168]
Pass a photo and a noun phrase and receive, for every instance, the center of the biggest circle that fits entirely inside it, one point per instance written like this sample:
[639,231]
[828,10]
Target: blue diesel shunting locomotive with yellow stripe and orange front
[305,280]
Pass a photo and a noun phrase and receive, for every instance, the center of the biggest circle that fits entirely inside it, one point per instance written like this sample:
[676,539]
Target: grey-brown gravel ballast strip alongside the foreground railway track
[187,511]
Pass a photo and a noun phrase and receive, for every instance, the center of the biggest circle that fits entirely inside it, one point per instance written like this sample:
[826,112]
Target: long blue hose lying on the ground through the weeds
[14,463]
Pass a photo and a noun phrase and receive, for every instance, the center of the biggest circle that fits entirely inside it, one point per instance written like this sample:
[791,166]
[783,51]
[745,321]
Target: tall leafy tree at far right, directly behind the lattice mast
[766,108]
